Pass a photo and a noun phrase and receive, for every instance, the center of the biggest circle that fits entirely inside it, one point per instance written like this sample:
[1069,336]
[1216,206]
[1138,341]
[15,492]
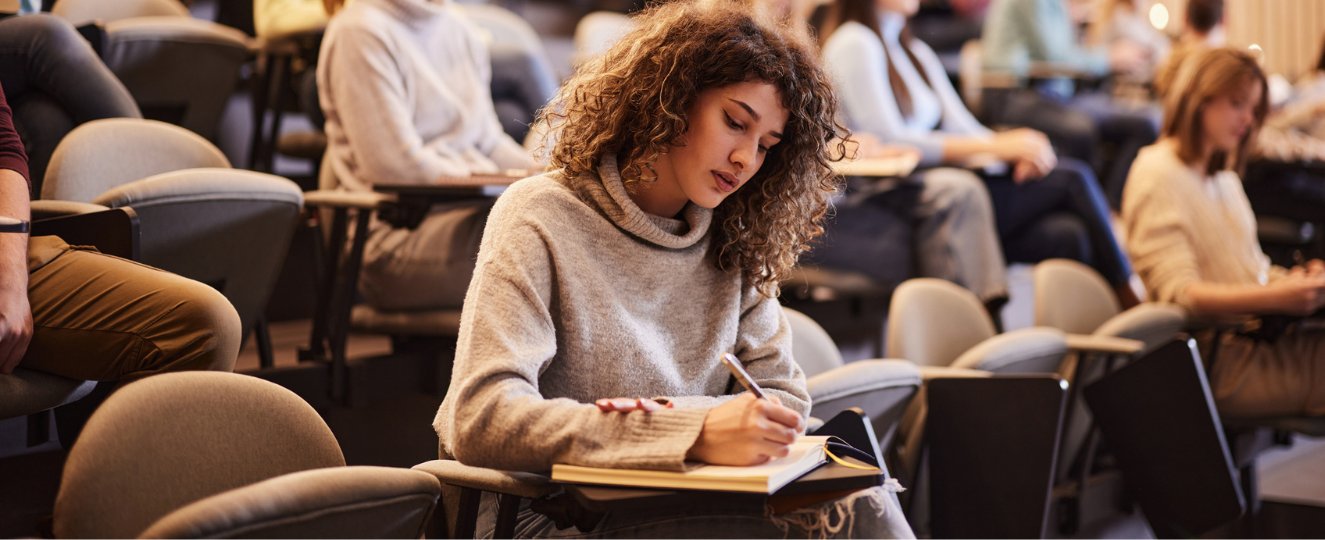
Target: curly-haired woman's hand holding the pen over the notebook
[747,431]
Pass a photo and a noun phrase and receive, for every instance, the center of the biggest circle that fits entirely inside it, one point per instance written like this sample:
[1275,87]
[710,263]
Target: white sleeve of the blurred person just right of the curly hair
[859,66]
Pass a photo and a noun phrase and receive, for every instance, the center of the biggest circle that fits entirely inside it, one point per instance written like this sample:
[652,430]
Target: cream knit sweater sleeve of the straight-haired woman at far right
[1159,238]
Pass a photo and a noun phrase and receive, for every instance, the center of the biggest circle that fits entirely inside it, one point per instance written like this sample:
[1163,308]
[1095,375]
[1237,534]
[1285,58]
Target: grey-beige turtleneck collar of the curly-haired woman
[608,193]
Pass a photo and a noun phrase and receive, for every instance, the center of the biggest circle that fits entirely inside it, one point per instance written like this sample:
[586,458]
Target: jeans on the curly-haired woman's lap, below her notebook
[870,514]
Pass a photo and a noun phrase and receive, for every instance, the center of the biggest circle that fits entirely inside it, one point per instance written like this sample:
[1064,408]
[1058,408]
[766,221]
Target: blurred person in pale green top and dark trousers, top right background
[1021,32]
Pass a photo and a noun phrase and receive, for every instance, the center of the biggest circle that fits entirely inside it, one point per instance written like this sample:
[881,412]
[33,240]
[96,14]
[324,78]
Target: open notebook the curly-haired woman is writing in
[808,453]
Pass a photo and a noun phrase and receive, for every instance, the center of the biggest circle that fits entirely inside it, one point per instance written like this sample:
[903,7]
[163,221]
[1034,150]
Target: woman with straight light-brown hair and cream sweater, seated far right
[1193,239]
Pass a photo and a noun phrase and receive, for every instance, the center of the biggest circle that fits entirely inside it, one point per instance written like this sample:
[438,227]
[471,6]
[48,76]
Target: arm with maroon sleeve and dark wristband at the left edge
[15,312]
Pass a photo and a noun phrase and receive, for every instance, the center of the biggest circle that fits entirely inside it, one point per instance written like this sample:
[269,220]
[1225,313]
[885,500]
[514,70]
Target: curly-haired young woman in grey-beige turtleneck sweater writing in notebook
[694,169]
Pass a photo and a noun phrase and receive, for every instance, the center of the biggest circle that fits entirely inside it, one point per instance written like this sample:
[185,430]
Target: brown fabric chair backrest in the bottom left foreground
[174,439]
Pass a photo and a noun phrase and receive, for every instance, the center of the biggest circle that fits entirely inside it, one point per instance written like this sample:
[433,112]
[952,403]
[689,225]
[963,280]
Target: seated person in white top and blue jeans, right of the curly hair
[895,88]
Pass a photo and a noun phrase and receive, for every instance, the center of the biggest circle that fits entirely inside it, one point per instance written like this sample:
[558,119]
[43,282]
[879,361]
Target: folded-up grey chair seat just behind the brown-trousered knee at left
[226,228]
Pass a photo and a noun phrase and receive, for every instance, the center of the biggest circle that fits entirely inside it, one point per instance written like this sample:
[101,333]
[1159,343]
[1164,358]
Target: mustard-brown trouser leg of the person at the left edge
[104,318]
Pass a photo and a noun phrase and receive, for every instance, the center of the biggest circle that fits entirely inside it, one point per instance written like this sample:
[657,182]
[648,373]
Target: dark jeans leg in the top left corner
[55,81]
